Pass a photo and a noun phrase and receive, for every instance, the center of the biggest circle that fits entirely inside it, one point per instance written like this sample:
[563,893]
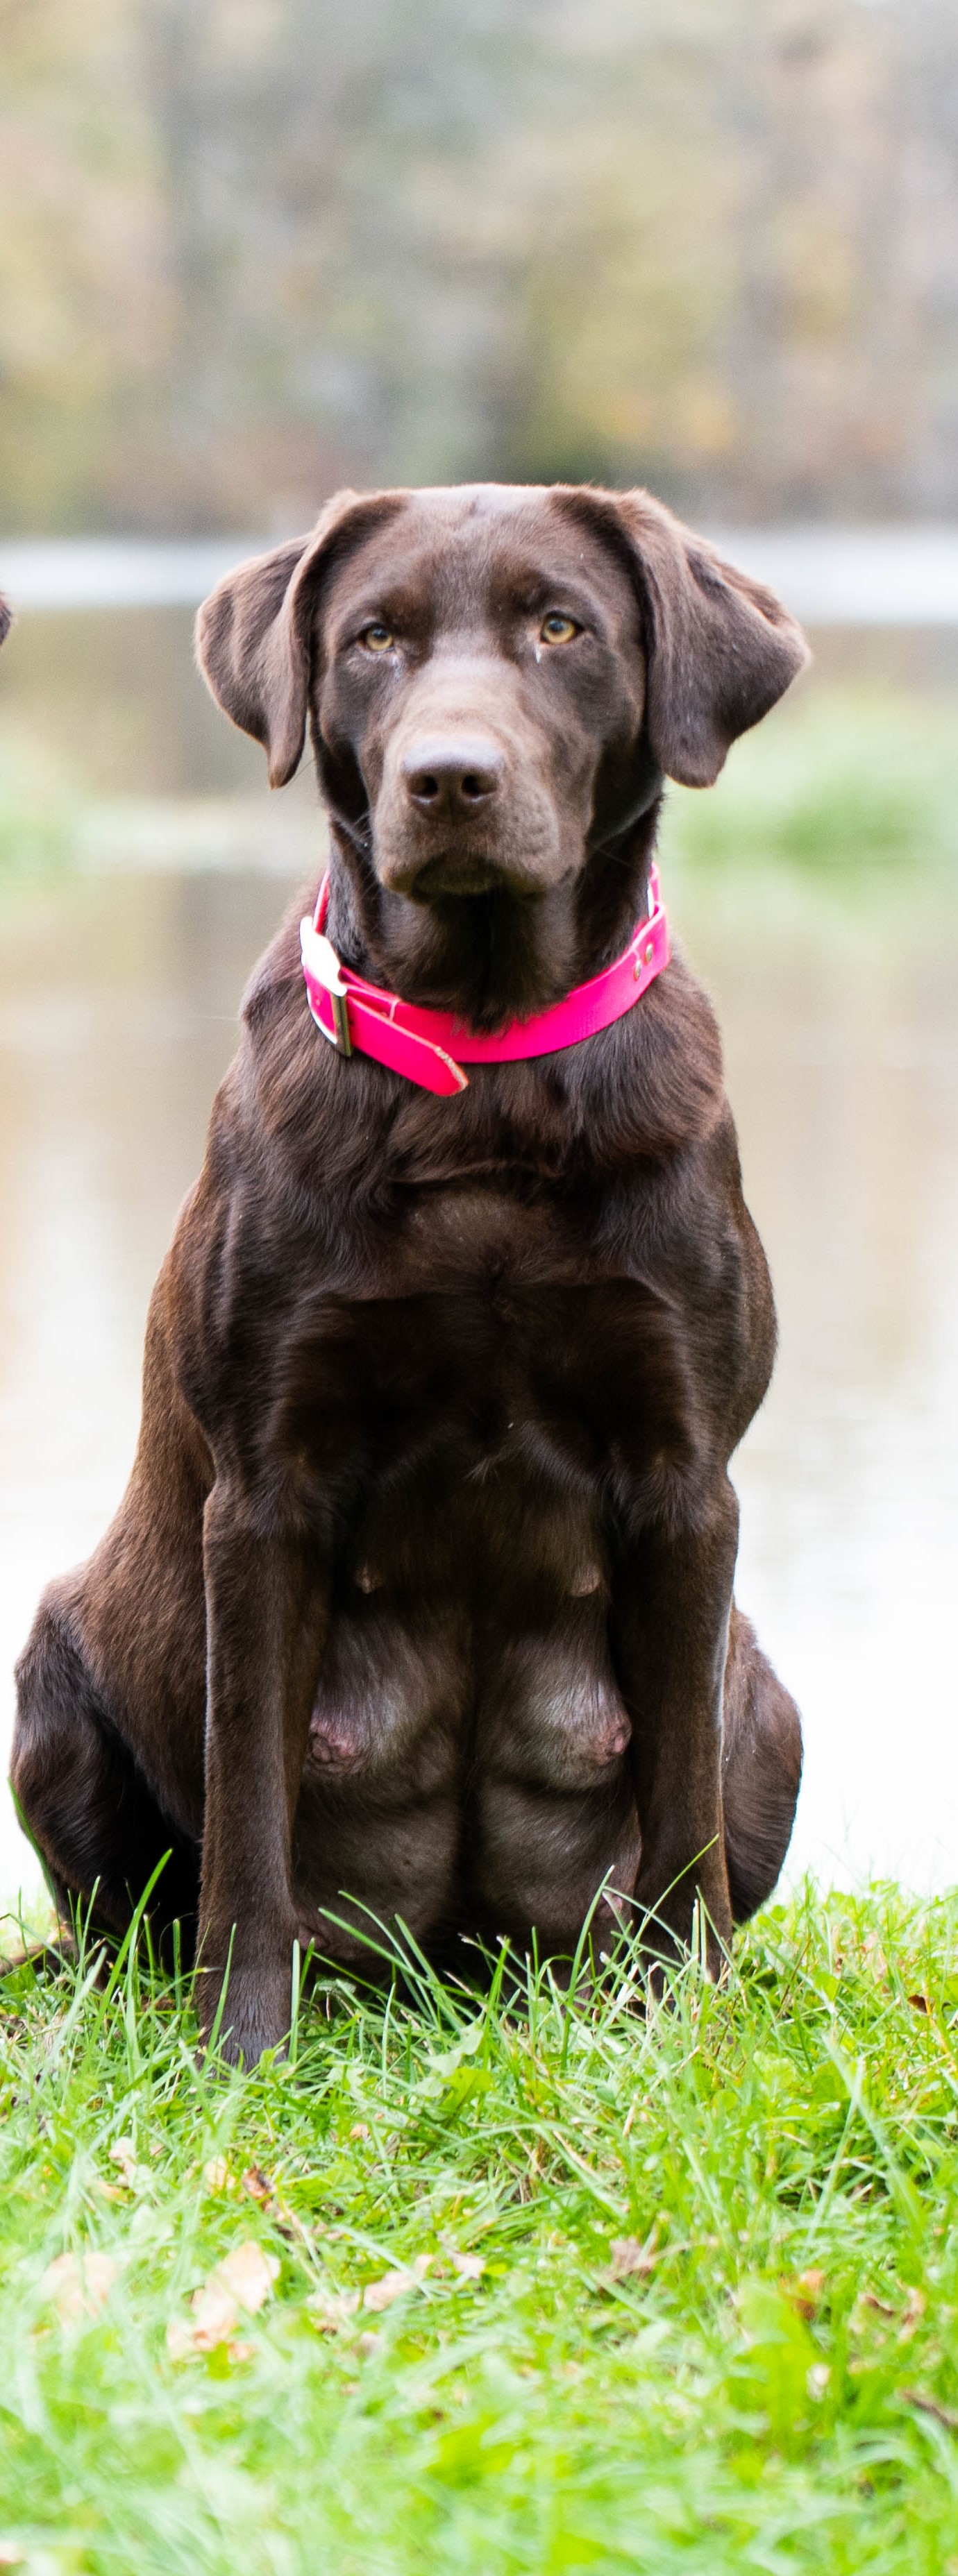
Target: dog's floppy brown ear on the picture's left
[254,635]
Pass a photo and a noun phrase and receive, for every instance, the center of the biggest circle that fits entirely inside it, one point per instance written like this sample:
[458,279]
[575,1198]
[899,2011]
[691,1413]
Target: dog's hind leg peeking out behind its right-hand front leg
[761,1771]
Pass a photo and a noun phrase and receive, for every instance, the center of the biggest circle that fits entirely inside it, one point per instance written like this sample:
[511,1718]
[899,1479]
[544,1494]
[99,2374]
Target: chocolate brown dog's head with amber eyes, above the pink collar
[498,681]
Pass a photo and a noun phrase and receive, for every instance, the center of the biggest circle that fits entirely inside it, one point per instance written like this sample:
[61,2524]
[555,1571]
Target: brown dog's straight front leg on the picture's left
[267,1616]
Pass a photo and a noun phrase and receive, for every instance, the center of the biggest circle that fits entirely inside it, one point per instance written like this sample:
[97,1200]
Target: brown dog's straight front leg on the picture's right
[671,1632]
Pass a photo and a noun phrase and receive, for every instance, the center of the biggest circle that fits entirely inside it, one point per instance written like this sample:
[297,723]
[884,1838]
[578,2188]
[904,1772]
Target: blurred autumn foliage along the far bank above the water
[251,249]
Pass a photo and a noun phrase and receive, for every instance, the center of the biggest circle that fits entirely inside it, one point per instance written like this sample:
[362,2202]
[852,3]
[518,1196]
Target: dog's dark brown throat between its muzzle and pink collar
[491,957]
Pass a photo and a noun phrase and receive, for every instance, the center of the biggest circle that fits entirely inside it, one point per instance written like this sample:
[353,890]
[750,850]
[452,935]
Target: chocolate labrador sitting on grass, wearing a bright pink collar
[418,1604]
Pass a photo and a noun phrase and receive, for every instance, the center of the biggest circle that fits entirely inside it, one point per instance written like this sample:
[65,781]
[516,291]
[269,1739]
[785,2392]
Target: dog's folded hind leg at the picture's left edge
[84,1802]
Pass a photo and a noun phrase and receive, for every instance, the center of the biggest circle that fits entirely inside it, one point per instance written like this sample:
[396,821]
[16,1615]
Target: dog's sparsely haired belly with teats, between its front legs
[467,1756]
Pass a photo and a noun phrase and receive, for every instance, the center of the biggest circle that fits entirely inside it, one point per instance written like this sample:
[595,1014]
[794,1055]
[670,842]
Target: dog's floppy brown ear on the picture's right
[722,650]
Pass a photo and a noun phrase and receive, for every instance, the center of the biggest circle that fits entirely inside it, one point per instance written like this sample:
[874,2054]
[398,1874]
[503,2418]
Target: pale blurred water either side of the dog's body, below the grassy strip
[841,1014]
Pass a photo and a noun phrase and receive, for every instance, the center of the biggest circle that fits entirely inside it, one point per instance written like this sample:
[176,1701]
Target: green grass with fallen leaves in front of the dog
[748,2384]
